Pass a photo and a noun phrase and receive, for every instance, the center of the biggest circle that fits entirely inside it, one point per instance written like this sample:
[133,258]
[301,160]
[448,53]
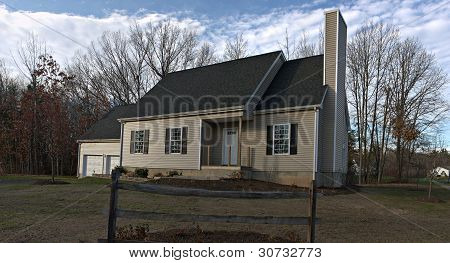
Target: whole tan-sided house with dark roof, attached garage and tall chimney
[263,116]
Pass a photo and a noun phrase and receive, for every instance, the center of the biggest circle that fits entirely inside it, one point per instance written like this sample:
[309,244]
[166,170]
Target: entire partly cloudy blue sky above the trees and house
[70,26]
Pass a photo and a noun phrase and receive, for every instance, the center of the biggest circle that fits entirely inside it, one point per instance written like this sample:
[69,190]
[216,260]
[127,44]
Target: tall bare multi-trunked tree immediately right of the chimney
[369,55]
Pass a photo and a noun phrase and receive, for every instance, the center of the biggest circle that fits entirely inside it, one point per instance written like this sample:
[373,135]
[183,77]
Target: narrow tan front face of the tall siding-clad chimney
[327,130]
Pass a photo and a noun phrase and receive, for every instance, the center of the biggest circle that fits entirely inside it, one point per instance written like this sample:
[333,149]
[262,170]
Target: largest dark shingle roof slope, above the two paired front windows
[219,85]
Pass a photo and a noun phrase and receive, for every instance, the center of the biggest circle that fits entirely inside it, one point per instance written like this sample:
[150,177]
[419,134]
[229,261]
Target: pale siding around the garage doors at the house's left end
[97,148]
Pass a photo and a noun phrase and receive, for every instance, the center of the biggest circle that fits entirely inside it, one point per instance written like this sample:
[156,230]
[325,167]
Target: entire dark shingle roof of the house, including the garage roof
[226,84]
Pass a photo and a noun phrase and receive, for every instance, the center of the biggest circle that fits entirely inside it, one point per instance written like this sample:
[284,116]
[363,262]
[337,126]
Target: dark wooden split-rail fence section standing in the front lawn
[115,212]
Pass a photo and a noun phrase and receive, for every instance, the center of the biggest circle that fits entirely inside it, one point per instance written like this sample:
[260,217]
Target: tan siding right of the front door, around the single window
[254,136]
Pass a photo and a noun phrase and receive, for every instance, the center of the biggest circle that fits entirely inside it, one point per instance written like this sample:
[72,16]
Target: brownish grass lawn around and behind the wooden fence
[34,212]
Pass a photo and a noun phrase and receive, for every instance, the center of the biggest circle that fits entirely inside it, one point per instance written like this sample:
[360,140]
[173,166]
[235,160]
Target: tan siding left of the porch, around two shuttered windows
[156,157]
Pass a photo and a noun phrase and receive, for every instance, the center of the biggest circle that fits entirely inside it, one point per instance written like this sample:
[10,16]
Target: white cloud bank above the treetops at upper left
[64,34]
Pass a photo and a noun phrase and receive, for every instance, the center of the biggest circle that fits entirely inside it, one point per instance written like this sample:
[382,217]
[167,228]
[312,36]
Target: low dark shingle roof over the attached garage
[108,127]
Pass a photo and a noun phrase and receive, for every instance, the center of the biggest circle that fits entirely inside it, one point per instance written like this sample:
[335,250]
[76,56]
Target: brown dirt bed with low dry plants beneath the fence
[197,235]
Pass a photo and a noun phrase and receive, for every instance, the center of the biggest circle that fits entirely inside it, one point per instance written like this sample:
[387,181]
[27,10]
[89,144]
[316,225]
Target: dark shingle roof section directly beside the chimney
[297,83]
